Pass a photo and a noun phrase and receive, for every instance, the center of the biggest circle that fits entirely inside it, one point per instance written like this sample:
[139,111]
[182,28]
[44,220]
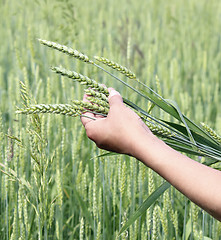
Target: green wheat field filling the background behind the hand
[53,185]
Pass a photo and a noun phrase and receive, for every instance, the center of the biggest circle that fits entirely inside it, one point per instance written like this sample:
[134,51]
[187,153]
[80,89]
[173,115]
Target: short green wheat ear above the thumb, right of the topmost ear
[125,71]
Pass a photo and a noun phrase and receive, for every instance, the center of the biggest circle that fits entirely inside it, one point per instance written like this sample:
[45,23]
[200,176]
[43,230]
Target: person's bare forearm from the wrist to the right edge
[201,184]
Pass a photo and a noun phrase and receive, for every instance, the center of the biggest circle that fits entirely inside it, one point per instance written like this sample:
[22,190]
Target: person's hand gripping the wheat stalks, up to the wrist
[120,130]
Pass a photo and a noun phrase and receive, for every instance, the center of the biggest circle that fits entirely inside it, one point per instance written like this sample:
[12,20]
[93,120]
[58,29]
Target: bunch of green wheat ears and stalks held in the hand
[186,136]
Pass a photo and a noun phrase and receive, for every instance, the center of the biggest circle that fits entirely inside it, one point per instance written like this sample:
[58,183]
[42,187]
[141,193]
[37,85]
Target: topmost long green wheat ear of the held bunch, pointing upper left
[66,50]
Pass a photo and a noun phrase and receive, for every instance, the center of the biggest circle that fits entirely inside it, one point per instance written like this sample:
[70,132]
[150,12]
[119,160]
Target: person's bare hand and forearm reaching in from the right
[124,132]
